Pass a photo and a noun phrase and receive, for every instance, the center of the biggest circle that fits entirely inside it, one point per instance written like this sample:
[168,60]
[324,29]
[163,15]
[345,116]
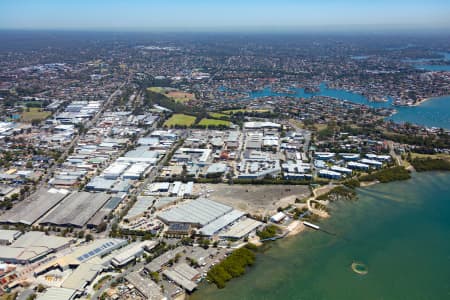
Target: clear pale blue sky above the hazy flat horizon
[232,15]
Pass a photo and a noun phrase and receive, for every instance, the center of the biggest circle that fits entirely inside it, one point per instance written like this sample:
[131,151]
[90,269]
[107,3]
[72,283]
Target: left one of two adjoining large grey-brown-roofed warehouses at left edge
[34,207]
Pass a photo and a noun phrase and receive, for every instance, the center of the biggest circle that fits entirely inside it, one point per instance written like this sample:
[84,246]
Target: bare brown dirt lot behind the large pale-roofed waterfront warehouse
[255,199]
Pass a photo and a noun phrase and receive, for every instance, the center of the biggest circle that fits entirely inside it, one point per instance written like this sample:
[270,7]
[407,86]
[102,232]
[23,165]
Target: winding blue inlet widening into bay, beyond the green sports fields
[432,113]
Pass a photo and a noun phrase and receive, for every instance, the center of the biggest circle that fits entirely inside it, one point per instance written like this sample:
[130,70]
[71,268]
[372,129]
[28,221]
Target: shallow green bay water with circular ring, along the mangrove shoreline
[400,231]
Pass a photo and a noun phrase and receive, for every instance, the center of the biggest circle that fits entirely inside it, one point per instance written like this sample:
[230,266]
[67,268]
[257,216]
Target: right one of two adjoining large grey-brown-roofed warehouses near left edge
[76,209]
